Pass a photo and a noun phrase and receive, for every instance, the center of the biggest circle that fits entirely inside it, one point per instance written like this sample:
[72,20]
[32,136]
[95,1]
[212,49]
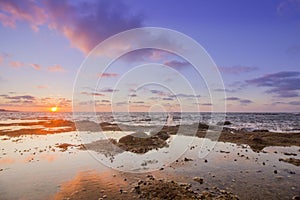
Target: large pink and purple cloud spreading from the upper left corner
[85,24]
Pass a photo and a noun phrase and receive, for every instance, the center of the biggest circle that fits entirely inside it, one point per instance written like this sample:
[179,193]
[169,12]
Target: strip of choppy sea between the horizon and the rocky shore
[276,122]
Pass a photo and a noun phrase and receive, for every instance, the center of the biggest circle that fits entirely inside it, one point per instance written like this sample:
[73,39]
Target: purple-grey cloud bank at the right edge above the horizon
[283,84]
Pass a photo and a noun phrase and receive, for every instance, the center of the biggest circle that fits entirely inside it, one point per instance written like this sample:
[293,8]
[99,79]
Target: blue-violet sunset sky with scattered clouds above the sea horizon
[46,59]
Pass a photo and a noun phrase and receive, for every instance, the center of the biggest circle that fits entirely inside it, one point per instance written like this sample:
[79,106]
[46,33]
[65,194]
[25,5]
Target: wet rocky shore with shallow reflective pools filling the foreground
[244,165]
